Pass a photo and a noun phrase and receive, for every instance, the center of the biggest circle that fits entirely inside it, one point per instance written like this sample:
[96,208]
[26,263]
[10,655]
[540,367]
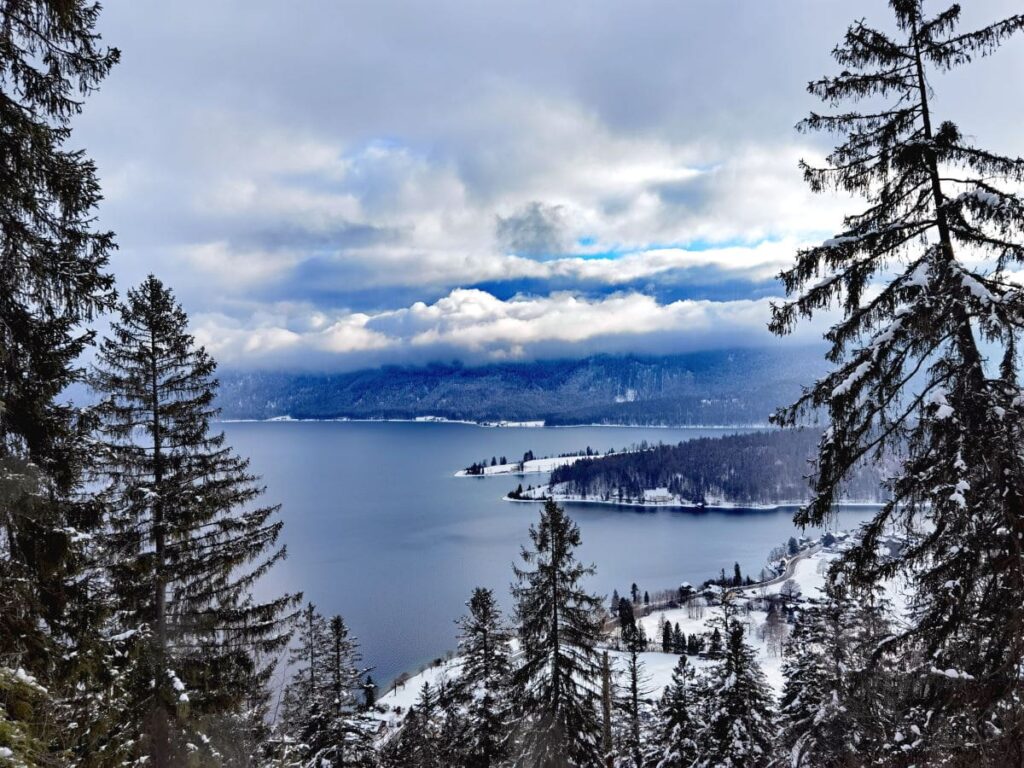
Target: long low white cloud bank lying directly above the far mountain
[476,326]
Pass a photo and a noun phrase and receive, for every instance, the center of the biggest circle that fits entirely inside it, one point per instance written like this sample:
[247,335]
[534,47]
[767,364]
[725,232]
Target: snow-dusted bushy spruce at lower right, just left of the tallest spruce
[837,709]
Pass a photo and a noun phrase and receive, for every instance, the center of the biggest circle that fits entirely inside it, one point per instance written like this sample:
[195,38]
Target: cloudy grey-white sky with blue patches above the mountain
[331,185]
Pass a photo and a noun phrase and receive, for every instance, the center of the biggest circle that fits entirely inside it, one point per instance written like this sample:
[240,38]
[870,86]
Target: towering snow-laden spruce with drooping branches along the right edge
[926,366]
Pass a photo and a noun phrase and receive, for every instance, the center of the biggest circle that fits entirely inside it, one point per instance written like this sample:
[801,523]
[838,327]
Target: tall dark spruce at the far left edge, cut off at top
[53,280]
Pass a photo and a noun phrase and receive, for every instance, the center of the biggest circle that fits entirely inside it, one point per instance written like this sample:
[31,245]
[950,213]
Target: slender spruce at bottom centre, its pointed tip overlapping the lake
[557,684]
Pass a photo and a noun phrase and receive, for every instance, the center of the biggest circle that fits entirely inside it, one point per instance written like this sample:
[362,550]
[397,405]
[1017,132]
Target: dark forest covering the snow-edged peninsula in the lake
[759,468]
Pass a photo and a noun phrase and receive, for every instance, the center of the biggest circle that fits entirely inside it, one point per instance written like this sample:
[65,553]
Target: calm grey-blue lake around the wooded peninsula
[379,531]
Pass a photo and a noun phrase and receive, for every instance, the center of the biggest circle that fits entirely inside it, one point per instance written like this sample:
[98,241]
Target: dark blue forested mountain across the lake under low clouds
[740,387]
